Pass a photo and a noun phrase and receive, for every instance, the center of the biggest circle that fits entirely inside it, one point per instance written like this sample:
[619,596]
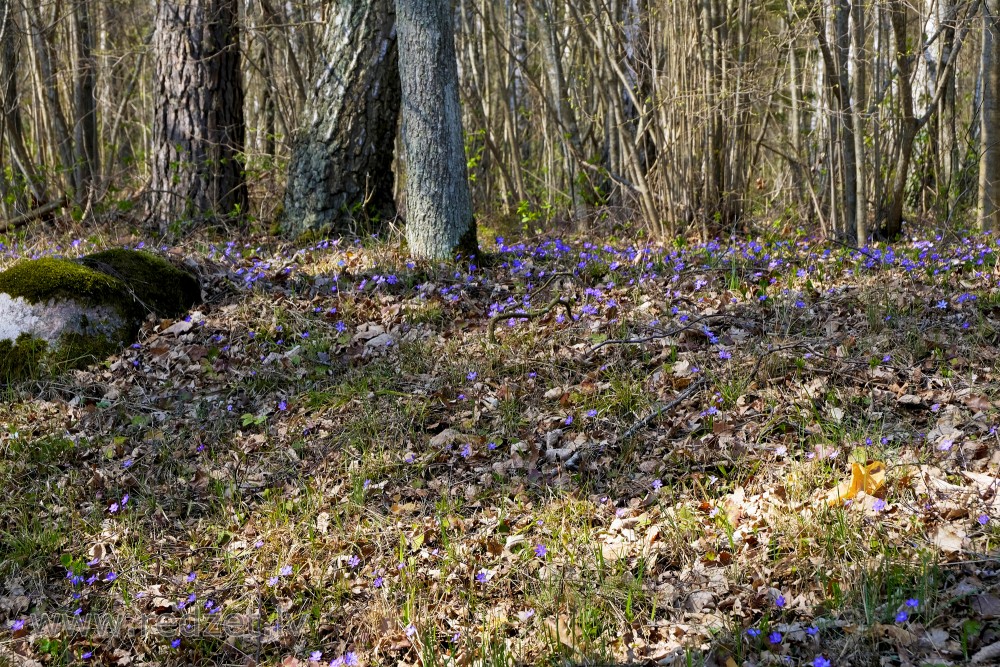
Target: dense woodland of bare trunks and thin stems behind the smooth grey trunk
[837,117]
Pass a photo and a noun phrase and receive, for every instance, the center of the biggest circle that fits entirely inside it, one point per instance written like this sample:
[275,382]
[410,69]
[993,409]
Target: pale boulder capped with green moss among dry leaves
[61,312]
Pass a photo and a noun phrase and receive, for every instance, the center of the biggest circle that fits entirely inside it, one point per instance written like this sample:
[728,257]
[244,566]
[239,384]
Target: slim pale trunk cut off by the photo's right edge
[989,162]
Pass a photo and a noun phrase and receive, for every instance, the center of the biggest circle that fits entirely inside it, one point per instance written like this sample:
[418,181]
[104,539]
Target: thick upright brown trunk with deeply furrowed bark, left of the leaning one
[198,121]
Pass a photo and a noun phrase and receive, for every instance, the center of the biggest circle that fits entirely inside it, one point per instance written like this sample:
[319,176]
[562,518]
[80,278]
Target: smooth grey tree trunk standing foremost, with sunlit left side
[439,218]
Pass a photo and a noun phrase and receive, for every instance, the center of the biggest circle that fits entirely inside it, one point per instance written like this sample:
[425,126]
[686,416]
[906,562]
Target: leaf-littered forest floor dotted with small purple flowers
[738,453]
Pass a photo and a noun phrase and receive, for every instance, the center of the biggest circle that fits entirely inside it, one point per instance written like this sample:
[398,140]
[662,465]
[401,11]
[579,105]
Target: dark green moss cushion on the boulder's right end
[159,285]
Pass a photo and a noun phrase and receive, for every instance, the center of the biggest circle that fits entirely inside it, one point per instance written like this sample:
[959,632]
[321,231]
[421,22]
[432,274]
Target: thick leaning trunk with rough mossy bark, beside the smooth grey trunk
[341,168]
